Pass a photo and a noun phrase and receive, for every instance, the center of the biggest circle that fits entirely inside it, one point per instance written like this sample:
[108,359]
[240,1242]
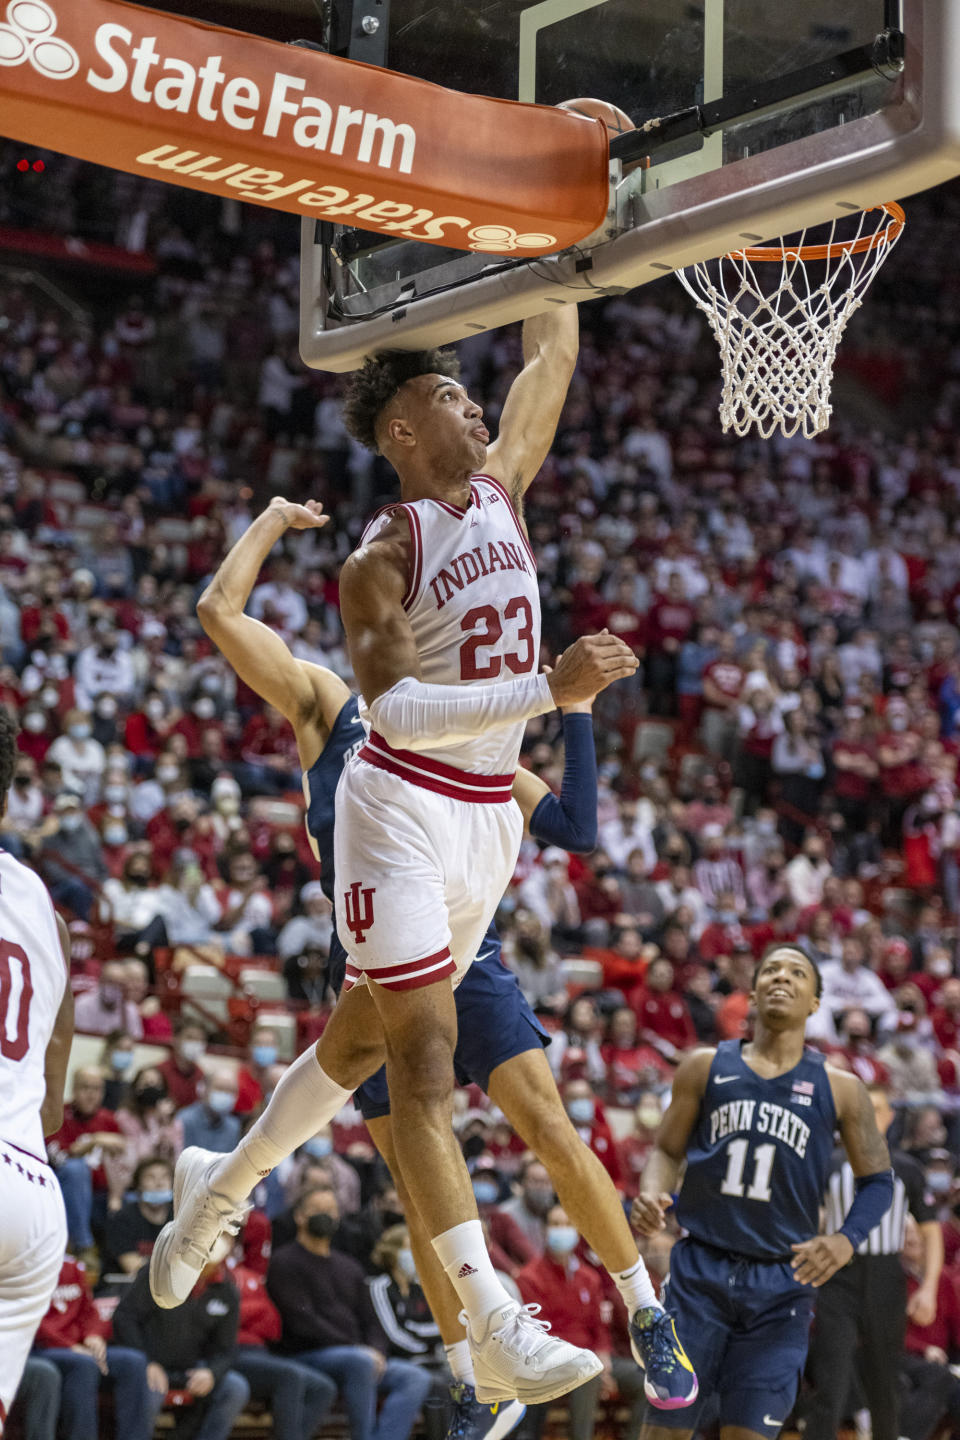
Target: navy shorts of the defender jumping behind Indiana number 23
[494,1025]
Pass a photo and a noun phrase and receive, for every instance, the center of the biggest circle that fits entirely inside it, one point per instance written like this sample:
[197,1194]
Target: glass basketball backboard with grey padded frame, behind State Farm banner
[753,117]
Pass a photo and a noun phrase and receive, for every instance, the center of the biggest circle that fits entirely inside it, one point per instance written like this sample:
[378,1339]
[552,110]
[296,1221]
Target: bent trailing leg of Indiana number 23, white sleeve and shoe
[211,1190]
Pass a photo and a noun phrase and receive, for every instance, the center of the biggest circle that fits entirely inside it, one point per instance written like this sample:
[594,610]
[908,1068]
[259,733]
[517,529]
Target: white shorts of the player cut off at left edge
[32,1245]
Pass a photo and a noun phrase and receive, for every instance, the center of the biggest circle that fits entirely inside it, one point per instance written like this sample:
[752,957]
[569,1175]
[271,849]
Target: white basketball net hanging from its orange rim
[778,315]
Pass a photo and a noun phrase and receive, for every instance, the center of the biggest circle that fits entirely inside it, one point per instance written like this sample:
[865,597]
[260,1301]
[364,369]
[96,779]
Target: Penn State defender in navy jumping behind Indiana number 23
[500,1043]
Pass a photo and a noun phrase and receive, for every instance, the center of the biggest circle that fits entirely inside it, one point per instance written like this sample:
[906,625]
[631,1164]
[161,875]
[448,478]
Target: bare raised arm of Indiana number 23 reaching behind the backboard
[536,400]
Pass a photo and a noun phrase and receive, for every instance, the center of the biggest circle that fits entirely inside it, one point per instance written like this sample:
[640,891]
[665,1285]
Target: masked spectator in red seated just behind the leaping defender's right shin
[571,1300]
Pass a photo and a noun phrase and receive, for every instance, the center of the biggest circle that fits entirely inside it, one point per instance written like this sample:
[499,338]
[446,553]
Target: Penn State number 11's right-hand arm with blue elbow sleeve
[818,1259]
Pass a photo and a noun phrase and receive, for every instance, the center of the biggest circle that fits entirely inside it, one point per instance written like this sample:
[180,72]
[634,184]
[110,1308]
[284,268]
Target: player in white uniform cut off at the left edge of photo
[37,1030]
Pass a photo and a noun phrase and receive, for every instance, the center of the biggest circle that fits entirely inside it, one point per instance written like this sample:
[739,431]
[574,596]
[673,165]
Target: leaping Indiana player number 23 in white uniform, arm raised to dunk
[443,617]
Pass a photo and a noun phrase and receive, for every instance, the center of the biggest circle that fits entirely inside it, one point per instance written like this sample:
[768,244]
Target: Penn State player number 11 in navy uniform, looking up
[755,1124]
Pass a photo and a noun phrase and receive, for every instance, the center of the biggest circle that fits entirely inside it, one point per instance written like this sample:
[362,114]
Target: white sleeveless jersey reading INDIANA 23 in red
[474,606]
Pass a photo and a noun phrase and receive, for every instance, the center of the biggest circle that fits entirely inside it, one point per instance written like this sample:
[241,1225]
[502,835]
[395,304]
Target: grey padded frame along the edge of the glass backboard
[905,149]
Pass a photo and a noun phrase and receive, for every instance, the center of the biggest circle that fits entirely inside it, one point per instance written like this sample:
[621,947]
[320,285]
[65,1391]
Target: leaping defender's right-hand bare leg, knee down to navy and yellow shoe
[527,1094]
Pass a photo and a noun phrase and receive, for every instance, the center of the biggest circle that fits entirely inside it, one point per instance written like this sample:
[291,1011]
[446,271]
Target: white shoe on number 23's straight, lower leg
[517,1359]
